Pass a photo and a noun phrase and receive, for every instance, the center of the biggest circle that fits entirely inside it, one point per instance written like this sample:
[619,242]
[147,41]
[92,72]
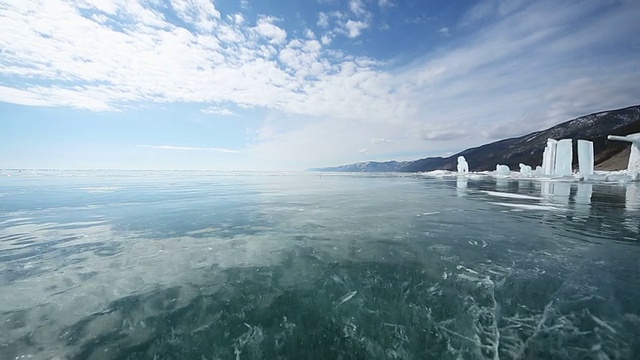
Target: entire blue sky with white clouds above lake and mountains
[266,84]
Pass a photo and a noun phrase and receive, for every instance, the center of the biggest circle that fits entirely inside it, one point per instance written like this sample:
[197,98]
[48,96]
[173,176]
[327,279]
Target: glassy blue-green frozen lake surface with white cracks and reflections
[205,265]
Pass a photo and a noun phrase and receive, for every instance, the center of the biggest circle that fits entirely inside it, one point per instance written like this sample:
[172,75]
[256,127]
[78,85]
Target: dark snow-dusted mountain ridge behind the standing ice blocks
[527,149]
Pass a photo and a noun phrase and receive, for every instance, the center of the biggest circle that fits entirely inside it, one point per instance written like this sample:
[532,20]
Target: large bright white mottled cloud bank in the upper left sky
[92,66]
